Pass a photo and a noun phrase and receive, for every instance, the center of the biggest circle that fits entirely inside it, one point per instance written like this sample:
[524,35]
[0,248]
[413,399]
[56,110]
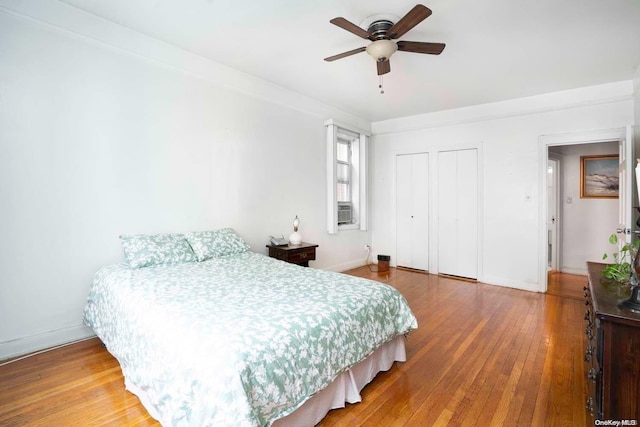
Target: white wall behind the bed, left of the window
[97,141]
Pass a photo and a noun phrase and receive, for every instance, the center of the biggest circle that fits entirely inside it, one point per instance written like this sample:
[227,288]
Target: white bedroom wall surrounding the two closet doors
[507,134]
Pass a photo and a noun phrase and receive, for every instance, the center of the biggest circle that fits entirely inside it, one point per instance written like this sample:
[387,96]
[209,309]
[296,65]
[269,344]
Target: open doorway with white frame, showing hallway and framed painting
[575,241]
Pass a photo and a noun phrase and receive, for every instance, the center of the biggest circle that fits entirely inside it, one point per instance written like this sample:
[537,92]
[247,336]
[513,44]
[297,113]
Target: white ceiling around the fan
[496,49]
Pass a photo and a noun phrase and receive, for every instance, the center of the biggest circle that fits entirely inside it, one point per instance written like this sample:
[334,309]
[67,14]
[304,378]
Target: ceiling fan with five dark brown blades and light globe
[382,32]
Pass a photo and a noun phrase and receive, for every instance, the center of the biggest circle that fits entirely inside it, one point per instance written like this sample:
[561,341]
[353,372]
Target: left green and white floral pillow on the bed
[145,250]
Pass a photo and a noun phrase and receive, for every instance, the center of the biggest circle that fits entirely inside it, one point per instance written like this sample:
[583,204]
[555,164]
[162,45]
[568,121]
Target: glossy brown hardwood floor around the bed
[482,355]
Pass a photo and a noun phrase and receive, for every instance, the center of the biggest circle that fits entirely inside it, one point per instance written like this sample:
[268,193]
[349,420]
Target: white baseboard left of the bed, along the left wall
[27,345]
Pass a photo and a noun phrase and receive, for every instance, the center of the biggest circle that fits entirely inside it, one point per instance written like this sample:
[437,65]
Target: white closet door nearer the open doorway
[458,213]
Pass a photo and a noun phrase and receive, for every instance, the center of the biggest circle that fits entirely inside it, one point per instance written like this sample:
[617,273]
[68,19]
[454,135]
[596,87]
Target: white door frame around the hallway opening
[546,141]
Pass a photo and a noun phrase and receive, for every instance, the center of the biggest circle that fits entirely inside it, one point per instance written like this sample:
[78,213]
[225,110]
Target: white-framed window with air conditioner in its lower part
[346,178]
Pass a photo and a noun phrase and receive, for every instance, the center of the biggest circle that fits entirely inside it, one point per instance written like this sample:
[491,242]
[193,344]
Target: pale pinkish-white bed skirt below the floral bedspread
[344,389]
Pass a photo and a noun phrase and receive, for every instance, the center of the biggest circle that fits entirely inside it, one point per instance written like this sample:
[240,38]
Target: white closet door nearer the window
[412,219]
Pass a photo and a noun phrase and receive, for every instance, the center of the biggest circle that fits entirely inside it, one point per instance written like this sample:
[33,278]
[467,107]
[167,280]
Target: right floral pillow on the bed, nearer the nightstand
[215,244]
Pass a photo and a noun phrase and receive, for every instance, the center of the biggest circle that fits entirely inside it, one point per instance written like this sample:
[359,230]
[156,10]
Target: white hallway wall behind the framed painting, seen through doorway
[586,224]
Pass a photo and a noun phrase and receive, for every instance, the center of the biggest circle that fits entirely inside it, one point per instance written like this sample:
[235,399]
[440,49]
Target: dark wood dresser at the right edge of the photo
[612,352]
